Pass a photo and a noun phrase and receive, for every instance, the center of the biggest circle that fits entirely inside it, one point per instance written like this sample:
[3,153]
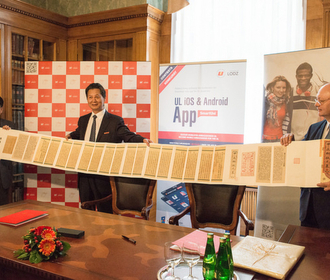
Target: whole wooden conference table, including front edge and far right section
[103,254]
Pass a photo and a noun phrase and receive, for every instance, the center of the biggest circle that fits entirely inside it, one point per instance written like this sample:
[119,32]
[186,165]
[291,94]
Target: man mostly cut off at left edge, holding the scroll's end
[6,166]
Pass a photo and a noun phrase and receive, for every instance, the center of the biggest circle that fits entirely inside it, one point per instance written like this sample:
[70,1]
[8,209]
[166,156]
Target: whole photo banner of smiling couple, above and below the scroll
[291,82]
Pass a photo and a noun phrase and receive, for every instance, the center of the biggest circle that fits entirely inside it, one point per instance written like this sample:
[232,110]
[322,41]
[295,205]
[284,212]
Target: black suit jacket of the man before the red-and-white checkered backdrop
[112,130]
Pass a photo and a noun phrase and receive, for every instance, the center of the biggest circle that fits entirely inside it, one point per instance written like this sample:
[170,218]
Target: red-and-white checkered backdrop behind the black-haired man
[55,99]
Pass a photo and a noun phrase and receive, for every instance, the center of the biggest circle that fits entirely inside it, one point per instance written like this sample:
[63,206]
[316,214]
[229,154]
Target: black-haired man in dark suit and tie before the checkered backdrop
[100,126]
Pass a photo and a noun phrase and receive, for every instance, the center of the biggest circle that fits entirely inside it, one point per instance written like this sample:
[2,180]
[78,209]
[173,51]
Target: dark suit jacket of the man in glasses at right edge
[321,198]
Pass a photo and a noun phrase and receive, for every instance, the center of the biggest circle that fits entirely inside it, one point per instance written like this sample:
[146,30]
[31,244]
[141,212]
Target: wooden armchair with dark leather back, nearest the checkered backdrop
[129,196]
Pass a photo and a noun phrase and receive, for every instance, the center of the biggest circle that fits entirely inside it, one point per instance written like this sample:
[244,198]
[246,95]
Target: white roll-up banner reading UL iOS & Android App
[199,104]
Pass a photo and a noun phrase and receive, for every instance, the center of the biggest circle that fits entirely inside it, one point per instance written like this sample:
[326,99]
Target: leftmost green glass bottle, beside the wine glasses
[209,260]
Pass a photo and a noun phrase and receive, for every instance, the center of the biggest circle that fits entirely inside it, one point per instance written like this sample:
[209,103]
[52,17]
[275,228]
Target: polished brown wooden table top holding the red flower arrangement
[102,253]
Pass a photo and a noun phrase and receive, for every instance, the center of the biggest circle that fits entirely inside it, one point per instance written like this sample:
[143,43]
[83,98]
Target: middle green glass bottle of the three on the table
[222,271]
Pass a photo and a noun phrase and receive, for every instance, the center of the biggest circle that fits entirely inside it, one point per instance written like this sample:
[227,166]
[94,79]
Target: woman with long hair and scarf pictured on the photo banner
[277,96]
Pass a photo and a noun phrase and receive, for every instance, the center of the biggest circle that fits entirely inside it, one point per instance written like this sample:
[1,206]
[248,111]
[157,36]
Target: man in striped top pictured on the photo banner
[302,112]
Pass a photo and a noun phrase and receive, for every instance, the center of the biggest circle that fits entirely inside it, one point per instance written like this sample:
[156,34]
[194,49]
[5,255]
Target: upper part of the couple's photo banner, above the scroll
[291,83]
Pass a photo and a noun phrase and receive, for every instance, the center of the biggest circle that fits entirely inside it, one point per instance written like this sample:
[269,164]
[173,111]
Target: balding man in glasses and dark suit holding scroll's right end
[315,202]
